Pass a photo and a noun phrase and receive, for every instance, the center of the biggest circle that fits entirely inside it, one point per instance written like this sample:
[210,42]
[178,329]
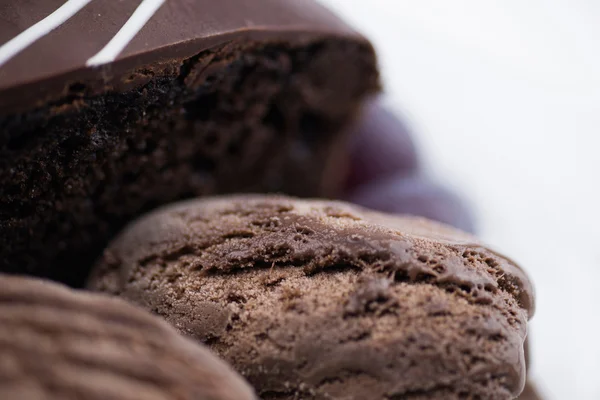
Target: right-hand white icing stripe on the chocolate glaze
[134,24]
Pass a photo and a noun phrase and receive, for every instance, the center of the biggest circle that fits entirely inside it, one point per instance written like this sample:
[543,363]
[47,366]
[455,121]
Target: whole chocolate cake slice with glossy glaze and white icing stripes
[110,108]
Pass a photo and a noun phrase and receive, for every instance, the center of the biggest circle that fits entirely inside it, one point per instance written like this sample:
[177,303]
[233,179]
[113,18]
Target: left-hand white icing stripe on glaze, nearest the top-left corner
[24,39]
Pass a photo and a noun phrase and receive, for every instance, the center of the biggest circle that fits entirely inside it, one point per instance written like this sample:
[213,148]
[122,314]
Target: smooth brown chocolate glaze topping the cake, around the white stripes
[45,70]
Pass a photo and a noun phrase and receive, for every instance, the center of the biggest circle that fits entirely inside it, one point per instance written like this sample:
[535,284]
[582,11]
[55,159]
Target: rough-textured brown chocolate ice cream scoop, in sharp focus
[323,300]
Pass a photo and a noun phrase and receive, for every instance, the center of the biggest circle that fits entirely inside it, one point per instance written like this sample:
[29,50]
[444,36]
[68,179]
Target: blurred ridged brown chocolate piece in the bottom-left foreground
[56,343]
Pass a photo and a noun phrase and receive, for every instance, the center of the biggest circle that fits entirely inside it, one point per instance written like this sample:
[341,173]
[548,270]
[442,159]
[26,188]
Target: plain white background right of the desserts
[504,100]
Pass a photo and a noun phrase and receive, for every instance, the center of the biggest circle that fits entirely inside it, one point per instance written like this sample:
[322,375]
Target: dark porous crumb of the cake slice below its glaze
[243,116]
